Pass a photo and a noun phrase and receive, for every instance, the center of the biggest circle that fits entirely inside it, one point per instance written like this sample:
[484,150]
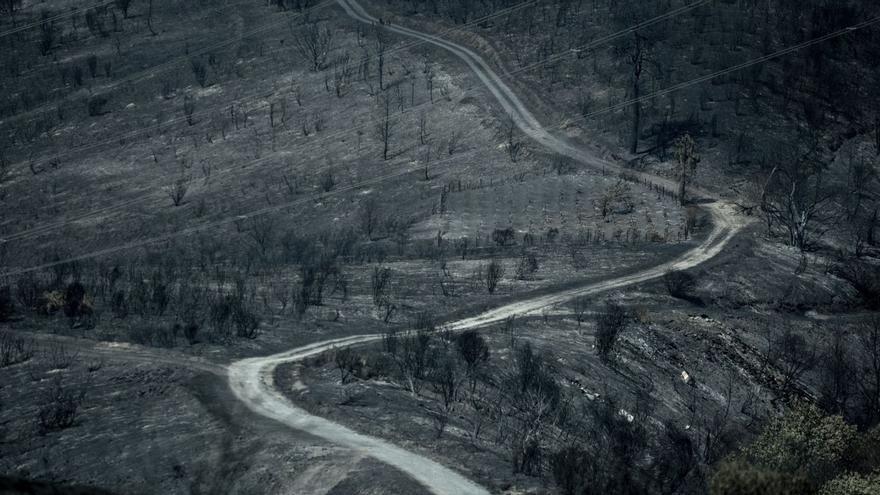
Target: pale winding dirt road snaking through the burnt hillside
[251,380]
